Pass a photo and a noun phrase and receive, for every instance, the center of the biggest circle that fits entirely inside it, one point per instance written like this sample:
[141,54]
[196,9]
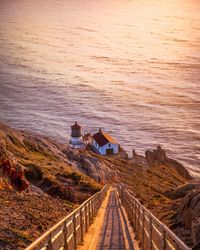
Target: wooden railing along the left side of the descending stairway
[69,232]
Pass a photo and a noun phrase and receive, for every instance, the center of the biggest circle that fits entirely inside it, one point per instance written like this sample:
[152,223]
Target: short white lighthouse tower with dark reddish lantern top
[76,140]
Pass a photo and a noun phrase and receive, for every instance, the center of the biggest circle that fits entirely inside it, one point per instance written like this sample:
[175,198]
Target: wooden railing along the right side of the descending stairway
[150,232]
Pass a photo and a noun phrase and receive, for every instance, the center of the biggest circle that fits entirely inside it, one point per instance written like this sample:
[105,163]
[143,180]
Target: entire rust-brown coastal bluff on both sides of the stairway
[59,178]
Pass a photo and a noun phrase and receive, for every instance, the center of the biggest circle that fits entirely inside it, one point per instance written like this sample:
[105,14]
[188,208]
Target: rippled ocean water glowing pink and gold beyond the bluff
[131,67]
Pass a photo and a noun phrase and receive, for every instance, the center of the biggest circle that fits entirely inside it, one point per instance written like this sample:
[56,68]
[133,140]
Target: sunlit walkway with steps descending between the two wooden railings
[110,229]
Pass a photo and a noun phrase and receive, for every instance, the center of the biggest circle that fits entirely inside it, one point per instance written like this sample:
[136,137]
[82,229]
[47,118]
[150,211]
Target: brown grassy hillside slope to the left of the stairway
[56,186]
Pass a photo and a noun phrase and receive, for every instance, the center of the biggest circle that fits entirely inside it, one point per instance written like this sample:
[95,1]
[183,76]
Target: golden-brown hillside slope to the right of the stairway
[165,189]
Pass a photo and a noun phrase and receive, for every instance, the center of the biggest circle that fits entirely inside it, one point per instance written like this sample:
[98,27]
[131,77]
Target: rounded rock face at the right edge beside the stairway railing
[191,213]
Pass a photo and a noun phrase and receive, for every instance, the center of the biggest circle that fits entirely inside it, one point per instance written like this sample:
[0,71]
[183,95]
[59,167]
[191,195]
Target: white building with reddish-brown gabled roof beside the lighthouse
[104,144]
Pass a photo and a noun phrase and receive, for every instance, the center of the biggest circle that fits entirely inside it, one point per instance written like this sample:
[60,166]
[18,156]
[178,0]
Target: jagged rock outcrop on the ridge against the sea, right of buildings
[158,156]
